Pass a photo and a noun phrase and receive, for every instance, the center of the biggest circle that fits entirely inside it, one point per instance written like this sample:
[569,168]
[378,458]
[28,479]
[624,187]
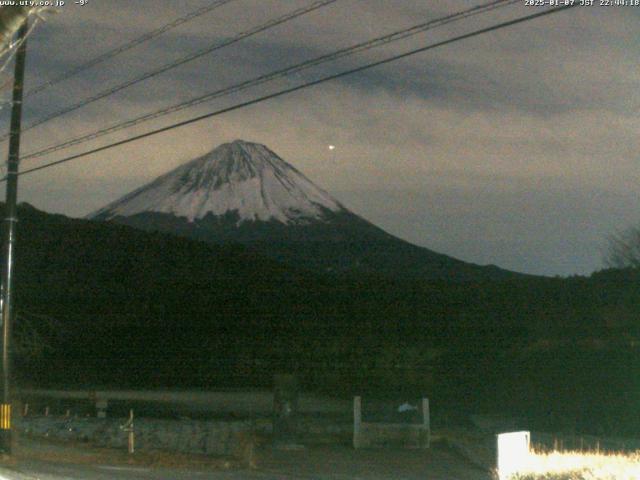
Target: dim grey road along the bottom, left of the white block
[317,463]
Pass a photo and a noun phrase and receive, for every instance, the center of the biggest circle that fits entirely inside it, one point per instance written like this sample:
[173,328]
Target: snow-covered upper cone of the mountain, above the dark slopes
[240,178]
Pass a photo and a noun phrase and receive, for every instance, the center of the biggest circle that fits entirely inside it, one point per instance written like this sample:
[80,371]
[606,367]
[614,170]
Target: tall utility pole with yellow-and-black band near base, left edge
[7,294]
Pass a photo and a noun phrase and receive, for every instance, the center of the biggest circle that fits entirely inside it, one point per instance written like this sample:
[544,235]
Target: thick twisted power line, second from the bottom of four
[357,48]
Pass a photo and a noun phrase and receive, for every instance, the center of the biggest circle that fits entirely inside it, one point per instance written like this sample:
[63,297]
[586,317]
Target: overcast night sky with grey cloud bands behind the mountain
[517,148]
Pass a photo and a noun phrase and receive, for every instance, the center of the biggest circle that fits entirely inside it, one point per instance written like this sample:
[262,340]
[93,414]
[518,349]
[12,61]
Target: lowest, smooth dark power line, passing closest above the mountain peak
[301,87]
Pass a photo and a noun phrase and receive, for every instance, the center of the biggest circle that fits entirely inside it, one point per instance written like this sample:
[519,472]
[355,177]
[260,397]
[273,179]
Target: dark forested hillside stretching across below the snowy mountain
[120,307]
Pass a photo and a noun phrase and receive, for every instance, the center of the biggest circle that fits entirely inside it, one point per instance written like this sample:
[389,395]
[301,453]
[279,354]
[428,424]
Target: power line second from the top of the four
[169,66]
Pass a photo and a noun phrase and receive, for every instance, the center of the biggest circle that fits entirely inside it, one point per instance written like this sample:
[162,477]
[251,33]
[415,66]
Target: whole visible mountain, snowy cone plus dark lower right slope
[242,192]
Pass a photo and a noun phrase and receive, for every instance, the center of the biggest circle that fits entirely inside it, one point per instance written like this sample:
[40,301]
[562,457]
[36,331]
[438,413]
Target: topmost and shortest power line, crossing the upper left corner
[127,46]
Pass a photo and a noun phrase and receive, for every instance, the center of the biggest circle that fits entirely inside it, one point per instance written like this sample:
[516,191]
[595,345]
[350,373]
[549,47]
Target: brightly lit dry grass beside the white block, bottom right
[580,466]
